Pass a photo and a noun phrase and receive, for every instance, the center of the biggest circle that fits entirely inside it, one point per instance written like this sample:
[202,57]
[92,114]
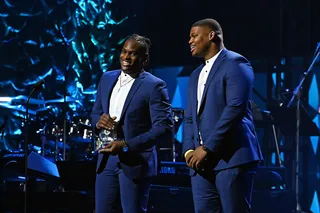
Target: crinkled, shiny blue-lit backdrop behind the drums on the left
[69,44]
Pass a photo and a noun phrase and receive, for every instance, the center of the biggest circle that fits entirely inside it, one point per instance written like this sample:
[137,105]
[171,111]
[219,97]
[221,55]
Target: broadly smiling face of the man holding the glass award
[132,57]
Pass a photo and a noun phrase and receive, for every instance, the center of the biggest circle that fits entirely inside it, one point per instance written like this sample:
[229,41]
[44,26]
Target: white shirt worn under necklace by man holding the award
[119,95]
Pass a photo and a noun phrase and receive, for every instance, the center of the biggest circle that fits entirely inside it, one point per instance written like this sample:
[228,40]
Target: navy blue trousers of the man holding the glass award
[115,192]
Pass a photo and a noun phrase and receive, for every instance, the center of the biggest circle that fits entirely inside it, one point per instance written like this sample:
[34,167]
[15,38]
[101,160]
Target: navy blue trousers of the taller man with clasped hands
[225,191]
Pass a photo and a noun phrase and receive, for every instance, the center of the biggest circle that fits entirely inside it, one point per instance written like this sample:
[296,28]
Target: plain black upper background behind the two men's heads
[257,29]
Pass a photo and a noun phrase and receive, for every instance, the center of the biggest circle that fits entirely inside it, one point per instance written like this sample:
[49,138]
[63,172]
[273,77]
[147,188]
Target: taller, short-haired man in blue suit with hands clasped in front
[220,144]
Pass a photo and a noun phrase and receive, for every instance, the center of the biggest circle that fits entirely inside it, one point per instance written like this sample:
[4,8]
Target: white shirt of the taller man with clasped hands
[204,76]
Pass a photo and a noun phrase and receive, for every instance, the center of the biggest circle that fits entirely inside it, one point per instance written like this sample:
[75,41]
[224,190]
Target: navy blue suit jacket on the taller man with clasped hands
[224,119]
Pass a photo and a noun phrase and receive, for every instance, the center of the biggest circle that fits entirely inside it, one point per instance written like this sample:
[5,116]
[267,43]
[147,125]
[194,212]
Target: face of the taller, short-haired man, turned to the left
[201,41]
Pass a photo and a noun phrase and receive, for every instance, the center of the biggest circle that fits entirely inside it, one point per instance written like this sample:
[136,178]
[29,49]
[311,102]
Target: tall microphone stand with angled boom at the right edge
[297,95]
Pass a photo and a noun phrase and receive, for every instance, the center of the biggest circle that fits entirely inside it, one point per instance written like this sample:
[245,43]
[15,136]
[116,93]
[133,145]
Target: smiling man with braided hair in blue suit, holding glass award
[135,104]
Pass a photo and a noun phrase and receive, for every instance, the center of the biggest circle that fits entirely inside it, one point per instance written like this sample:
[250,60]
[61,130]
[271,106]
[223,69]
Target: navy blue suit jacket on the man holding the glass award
[145,121]
